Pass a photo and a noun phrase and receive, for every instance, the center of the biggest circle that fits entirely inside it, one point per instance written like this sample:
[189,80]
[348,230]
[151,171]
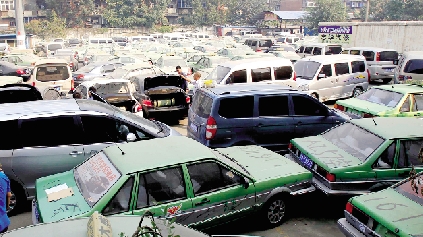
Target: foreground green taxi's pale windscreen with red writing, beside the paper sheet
[95,177]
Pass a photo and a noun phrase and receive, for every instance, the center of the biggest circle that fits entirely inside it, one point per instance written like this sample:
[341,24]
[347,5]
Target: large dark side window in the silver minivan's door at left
[43,132]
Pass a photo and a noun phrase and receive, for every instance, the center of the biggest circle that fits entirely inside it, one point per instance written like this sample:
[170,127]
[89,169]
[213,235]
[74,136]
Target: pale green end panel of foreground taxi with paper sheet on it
[66,207]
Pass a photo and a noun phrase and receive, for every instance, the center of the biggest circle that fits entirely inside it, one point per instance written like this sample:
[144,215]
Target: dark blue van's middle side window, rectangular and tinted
[267,106]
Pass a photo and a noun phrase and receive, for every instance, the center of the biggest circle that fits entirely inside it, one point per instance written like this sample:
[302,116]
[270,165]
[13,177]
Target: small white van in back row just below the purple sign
[312,49]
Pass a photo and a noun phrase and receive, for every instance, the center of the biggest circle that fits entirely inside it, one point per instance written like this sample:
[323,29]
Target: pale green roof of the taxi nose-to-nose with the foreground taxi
[392,127]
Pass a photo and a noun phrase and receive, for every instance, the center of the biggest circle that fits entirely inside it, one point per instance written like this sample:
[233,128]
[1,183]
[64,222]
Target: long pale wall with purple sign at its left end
[399,35]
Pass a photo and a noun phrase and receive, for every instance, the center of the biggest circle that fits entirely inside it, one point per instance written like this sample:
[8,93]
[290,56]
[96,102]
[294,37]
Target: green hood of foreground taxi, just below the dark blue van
[263,164]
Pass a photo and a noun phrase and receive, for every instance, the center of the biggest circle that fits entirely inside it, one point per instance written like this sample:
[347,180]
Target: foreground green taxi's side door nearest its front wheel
[218,193]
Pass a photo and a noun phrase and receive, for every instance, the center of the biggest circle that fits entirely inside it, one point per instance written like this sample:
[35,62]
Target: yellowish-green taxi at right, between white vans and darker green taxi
[385,101]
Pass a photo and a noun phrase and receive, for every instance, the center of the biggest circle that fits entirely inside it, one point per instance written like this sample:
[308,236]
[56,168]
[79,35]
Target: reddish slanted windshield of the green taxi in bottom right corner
[412,189]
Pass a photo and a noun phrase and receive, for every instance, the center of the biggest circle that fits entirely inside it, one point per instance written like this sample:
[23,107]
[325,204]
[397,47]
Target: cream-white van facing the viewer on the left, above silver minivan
[52,77]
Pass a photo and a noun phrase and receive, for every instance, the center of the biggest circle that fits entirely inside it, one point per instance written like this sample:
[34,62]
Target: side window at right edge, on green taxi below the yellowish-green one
[410,153]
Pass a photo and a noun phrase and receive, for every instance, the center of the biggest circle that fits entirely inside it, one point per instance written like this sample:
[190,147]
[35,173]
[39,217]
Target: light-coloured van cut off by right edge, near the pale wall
[410,67]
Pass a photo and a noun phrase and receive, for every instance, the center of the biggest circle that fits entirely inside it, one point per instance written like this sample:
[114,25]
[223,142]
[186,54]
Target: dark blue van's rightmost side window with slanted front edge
[307,106]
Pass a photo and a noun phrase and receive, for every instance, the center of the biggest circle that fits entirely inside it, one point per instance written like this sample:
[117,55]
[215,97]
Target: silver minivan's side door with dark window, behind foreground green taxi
[50,145]
